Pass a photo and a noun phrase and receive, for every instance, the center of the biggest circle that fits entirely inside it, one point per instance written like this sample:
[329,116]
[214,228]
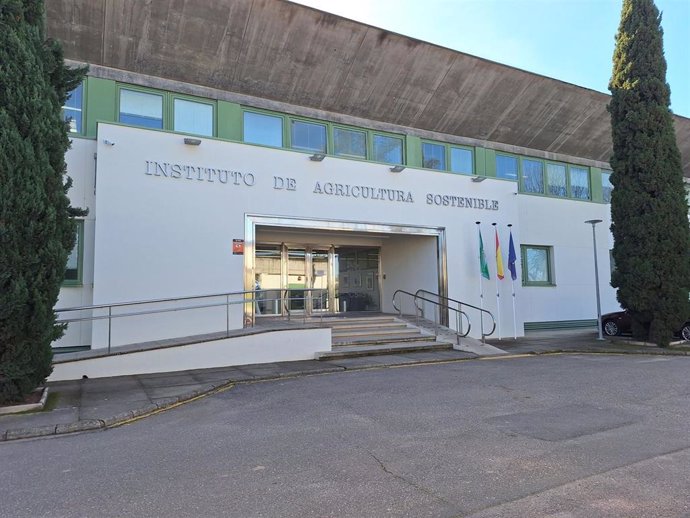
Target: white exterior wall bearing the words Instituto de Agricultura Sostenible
[166,236]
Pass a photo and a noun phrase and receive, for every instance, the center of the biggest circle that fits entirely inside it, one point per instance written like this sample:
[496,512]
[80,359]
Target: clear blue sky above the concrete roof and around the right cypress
[570,40]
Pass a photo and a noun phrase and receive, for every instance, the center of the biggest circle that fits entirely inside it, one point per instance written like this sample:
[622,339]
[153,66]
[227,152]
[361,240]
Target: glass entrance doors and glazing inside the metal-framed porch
[304,279]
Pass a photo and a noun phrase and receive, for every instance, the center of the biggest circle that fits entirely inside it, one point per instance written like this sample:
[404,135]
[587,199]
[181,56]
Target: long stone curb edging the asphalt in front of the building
[124,418]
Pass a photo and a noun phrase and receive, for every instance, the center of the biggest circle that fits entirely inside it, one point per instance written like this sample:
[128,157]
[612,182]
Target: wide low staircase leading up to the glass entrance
[373,335]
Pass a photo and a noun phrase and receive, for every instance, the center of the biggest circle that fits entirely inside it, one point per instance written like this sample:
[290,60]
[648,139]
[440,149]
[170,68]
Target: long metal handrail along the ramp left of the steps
[248,297]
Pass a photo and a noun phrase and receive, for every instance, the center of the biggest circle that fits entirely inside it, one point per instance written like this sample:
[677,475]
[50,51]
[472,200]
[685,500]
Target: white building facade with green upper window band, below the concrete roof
[194,191]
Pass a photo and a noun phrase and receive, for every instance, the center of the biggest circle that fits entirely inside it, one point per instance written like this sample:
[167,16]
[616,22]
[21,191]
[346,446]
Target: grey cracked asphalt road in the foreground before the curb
[562,436]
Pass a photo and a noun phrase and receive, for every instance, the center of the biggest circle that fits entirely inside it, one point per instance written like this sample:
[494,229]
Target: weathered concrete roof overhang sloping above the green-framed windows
[278,50]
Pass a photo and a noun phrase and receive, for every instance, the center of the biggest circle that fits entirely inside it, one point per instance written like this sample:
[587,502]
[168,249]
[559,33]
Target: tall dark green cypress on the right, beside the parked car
[649,210]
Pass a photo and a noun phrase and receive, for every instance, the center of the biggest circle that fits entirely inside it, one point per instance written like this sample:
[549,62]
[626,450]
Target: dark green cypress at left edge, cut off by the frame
[37,231]
